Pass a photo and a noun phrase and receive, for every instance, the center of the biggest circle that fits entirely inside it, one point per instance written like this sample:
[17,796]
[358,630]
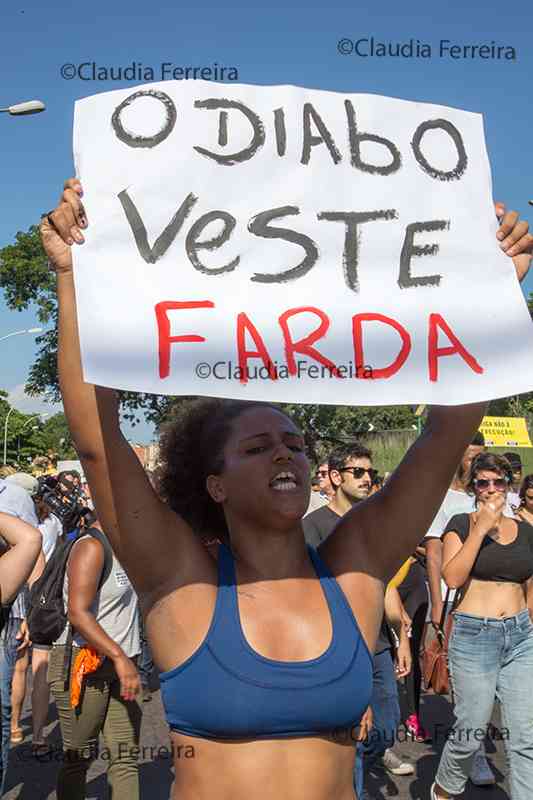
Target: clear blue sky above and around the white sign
[274,43]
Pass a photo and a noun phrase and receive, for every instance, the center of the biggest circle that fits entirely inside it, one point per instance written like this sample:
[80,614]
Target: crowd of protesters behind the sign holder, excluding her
[489,506]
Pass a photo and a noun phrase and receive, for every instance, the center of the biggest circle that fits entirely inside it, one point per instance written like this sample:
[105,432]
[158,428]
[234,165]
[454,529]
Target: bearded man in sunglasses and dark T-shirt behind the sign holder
[351,474]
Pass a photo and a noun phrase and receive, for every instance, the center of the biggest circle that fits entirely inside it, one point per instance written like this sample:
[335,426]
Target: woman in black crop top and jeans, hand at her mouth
[489,558]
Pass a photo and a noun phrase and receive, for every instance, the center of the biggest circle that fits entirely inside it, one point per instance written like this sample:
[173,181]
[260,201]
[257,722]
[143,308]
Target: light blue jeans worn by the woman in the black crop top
[490,658]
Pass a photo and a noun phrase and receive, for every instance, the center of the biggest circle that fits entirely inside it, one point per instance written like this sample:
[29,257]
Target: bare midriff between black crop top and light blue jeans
[496,599]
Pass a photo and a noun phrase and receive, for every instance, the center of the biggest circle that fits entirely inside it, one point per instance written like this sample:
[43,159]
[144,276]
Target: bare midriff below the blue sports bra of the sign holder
[307,768]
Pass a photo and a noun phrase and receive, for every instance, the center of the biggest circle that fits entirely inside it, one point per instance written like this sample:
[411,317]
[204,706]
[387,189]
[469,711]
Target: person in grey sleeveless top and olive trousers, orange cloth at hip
[103,629]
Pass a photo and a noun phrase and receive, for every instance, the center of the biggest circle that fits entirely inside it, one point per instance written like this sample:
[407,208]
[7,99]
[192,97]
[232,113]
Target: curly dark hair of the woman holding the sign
[192,449]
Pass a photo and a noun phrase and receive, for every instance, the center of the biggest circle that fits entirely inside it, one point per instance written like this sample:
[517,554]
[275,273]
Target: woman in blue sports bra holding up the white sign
[265,651]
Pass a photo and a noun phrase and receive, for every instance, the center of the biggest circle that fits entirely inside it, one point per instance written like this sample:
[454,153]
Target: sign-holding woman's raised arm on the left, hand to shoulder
[154,545]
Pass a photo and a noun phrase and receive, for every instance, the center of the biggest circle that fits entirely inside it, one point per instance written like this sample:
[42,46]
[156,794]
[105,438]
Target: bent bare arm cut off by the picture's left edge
[16,565]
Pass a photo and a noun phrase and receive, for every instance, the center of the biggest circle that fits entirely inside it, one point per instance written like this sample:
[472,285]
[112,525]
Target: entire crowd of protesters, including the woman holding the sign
[280,621]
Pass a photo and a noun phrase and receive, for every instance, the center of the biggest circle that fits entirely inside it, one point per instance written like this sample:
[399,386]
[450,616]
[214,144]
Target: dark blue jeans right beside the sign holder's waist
[386,711]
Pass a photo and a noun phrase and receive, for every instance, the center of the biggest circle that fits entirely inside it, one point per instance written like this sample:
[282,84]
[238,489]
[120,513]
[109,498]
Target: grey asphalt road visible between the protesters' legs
[34,779]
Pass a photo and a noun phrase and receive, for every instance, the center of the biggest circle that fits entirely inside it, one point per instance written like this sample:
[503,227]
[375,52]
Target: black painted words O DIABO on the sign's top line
[315,133]
